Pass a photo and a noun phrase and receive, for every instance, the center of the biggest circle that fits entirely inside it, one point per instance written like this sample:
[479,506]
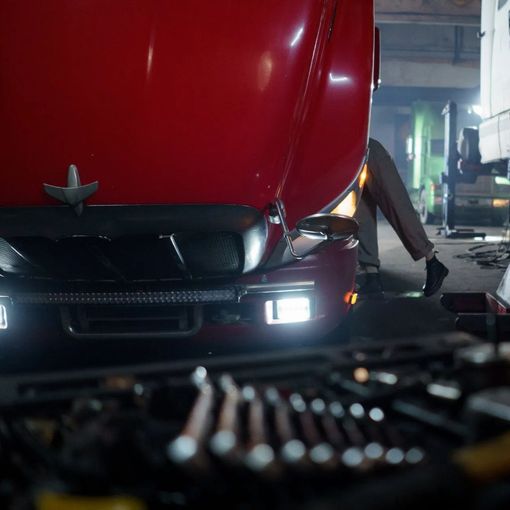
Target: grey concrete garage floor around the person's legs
[400,316]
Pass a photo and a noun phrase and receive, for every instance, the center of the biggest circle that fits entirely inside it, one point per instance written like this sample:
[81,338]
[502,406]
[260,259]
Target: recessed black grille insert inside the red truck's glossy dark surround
[129,258]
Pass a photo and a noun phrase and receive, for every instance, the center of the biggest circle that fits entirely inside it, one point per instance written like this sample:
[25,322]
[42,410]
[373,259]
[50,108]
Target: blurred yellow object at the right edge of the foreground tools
[487,461]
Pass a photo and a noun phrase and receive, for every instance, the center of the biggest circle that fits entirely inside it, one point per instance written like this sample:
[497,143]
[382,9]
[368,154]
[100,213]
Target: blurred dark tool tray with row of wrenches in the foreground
[287,429]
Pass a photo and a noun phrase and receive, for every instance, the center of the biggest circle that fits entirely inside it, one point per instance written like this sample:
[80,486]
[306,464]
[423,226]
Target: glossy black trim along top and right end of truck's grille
[117,221]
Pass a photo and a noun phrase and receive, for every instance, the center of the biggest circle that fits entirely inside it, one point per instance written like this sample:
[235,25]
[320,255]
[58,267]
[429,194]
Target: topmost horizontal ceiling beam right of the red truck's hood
[431,12]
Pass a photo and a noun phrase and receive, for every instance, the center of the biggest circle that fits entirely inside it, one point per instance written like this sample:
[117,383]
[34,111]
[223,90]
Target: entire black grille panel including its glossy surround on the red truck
[131,243]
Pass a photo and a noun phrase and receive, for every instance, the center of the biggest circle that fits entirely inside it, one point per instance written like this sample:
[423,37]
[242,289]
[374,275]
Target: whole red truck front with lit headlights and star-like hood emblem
[181,169]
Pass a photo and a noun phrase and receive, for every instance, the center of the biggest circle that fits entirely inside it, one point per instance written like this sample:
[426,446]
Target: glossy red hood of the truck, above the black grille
[181,102]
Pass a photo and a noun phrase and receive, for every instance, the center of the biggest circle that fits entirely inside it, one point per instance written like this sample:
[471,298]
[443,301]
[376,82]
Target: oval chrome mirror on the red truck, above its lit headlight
[327,227]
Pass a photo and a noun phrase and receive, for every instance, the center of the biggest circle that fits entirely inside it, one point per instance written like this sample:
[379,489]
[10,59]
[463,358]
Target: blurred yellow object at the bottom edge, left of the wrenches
[54,501]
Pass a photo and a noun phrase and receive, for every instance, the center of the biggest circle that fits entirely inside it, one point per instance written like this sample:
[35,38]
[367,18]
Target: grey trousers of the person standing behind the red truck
[384,189]
